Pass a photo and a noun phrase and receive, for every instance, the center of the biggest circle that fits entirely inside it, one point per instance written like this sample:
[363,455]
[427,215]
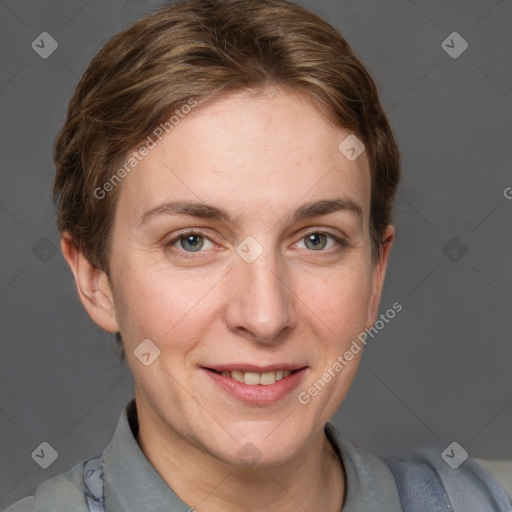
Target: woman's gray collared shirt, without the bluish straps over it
[131,483]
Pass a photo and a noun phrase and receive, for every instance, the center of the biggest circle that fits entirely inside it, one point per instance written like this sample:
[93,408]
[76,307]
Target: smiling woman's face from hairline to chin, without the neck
[250,299]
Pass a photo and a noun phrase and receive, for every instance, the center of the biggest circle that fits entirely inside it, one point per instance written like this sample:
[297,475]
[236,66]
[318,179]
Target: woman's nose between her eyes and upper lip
[261,303]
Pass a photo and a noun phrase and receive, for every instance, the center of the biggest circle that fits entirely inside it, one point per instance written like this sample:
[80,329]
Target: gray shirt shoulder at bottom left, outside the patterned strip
[64,492]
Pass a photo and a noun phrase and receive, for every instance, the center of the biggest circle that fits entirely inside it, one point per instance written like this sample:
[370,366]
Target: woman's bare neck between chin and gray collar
[313,480]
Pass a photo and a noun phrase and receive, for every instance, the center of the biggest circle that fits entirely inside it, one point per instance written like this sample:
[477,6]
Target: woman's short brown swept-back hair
[201,49]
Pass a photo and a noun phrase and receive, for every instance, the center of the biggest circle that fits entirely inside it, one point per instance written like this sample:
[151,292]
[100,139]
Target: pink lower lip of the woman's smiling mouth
[258,394]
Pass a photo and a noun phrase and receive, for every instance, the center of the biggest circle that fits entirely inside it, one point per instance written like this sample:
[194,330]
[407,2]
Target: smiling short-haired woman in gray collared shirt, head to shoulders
[225,180]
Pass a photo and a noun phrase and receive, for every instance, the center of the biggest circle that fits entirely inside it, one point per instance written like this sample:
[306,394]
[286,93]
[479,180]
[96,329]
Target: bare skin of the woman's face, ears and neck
[258,157]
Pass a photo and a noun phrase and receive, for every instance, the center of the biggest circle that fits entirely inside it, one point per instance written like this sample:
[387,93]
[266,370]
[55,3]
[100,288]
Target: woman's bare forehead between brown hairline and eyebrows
[266,152]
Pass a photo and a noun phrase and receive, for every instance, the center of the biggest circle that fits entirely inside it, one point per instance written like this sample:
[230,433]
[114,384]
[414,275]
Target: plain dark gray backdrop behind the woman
[439,372]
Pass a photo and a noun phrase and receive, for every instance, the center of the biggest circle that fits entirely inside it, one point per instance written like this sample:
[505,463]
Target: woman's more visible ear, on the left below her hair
[93,286]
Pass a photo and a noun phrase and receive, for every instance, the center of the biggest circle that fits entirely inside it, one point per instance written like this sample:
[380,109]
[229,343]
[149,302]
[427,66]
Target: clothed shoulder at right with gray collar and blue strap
[425,481]
